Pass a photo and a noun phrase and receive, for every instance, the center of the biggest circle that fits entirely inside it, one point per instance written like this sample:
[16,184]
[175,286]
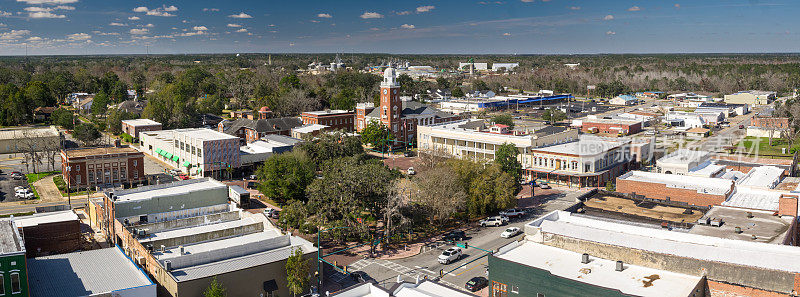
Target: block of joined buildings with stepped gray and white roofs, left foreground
[187,233]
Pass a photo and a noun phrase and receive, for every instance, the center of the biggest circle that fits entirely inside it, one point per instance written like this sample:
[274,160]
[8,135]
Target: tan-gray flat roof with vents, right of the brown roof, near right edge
[766,227]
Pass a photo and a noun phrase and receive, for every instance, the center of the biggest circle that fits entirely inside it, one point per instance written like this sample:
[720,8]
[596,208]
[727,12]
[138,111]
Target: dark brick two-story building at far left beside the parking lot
[102,166]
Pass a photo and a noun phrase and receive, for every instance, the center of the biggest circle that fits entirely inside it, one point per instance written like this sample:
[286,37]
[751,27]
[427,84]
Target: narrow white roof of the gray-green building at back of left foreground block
[179,187]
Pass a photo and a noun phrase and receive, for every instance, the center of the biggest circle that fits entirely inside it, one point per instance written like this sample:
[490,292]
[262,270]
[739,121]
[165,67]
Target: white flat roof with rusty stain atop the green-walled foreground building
[633,280]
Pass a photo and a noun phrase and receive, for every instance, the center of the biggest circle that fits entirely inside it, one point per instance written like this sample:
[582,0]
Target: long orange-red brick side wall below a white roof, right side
[661,191]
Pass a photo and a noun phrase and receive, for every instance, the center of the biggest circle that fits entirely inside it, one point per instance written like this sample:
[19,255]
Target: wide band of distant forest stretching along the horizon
[179,87]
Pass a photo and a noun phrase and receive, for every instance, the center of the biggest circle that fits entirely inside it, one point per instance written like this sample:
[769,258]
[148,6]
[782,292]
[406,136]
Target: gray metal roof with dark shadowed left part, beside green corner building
[84,273]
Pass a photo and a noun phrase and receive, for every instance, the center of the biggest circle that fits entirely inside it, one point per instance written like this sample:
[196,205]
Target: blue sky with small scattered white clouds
[67,27]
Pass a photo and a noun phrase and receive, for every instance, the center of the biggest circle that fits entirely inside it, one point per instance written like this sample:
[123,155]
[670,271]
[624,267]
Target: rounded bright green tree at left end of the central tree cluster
[284,177]
